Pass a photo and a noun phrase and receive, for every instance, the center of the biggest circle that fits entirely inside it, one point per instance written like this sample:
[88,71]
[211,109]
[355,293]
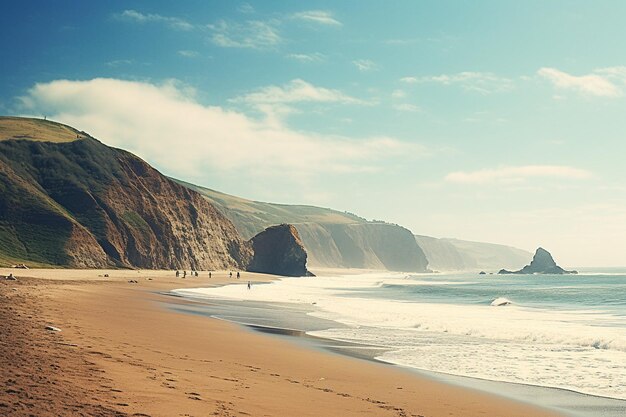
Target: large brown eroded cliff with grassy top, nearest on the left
[68,200]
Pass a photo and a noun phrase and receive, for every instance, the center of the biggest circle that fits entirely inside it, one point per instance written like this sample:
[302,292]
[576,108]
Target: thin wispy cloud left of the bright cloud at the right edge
[480,82]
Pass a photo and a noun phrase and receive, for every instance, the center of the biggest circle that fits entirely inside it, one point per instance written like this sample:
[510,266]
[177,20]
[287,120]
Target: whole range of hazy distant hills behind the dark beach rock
[340,239]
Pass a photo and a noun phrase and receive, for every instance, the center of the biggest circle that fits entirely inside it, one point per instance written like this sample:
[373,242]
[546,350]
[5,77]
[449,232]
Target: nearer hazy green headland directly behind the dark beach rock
[331,238]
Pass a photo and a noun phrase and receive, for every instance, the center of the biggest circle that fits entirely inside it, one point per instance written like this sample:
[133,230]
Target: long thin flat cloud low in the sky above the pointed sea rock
[517,174]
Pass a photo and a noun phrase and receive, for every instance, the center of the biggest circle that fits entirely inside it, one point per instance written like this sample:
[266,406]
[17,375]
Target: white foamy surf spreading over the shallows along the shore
[579,350]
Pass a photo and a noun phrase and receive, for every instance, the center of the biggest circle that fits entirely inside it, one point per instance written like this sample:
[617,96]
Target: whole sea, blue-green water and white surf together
[562,331]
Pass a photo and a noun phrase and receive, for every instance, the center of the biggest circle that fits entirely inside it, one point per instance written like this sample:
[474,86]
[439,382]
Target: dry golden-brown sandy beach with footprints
[121,352]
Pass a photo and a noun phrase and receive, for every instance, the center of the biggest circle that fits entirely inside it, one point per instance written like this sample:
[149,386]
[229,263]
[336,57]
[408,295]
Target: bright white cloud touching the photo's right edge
[596,84]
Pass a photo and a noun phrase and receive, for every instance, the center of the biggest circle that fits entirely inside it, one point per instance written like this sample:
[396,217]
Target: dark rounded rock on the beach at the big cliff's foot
[278,250]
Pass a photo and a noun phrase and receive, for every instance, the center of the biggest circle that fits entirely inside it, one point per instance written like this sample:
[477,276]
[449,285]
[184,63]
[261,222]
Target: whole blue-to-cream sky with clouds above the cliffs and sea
[496,121]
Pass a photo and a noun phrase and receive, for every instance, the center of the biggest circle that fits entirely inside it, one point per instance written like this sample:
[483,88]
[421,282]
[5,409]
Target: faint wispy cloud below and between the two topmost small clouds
[253,34]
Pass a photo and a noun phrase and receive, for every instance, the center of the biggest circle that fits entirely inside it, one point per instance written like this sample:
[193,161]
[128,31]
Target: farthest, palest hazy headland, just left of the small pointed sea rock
[458,255]
